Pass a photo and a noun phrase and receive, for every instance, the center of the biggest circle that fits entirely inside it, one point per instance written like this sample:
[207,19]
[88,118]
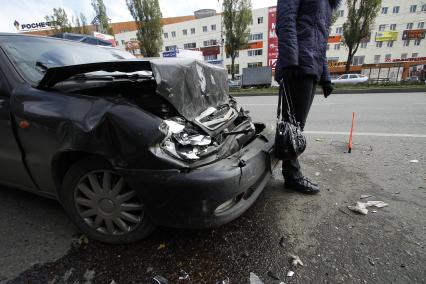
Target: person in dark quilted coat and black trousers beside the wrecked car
[302,28]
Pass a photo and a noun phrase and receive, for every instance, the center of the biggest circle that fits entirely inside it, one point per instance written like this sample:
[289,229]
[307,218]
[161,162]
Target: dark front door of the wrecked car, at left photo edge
[12,169]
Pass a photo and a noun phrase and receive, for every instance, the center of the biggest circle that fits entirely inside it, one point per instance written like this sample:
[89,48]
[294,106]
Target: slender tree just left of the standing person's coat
[237,16]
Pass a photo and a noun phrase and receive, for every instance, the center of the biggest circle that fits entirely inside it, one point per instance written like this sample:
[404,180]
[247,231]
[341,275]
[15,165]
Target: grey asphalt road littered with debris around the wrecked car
[335,244]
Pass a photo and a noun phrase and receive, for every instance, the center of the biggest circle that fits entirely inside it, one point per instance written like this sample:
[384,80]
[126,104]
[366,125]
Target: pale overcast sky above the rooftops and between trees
[32,11]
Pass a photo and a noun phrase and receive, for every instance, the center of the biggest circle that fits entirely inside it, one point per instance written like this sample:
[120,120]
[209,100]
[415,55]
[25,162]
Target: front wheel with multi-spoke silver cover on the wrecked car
[102,205]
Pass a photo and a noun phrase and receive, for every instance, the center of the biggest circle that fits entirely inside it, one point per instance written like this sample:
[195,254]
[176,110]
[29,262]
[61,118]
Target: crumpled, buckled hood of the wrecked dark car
[191,86]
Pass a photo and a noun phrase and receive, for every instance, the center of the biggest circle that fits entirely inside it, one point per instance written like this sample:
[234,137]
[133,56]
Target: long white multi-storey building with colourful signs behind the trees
[398,35]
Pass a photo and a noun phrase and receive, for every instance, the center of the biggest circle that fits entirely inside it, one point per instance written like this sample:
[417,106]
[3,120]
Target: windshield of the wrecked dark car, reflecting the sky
[32,56]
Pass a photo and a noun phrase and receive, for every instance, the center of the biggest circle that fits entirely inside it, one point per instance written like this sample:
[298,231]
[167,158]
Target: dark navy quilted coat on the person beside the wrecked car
[302,29]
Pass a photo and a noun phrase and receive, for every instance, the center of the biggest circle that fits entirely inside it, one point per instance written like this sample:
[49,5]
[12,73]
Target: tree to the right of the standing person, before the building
[361,17]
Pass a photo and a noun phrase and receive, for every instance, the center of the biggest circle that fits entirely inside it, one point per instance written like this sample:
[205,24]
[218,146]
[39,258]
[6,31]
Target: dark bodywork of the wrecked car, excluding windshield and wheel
[46,127]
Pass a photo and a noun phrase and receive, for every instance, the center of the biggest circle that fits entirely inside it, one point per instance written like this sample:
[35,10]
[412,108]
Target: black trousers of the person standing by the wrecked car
[301,88]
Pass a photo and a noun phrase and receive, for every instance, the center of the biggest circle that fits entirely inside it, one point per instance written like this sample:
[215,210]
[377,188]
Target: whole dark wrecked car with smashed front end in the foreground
[126,144]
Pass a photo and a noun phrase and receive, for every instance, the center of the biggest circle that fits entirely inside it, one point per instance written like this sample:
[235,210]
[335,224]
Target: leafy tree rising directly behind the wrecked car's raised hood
[147,16]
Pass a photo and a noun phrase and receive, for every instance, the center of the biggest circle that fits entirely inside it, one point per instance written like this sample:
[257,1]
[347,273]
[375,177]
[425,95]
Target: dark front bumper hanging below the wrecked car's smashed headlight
[210,195]
